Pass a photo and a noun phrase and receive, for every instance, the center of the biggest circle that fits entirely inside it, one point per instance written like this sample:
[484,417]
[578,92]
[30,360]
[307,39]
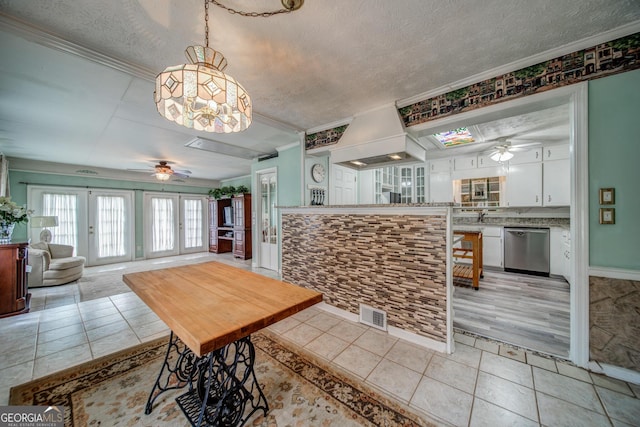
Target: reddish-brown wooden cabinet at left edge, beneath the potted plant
[14,298]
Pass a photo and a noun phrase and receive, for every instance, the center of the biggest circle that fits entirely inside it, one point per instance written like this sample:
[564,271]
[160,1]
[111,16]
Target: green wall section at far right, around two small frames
[614,161]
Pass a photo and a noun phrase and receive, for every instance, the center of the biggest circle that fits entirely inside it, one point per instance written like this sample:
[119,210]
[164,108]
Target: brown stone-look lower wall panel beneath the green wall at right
[614,321]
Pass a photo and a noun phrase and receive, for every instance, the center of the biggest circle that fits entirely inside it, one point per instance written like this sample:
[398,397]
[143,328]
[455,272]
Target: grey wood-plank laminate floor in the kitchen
[527,311]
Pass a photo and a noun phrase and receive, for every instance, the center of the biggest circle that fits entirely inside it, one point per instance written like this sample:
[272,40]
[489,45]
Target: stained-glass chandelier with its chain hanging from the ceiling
[200,95]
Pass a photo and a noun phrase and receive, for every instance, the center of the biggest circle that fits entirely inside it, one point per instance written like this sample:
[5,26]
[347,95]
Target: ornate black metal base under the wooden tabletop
[221,383]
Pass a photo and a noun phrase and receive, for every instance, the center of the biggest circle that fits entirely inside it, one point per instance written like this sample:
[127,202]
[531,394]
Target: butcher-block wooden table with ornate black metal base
[212,309]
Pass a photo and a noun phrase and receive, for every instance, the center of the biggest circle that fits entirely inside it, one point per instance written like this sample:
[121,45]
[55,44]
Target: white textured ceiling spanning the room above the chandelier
[319,65]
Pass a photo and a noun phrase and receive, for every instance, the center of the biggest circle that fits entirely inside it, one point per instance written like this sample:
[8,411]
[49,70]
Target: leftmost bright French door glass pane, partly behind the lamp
[65,207]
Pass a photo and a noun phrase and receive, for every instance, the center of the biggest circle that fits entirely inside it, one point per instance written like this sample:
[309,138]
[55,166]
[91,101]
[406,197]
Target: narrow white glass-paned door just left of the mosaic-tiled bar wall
[268,220]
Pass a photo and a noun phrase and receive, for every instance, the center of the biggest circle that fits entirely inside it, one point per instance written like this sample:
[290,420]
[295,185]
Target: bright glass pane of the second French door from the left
[111,226]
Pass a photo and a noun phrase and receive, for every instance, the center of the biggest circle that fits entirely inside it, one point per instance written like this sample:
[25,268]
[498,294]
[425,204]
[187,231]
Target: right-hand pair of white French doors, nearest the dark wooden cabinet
[174,224]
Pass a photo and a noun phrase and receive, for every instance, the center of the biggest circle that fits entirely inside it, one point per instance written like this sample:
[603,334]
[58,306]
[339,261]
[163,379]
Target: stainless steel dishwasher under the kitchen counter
[526,250]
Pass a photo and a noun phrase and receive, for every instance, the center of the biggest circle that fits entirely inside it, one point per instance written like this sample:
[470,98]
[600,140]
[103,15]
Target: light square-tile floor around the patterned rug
[483,383]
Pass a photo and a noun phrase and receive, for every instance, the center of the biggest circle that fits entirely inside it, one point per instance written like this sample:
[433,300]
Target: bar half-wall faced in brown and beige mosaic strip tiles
[396,263]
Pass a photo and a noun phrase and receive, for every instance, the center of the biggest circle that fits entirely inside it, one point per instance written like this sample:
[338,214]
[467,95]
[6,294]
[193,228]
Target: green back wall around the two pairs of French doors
[19,194]
